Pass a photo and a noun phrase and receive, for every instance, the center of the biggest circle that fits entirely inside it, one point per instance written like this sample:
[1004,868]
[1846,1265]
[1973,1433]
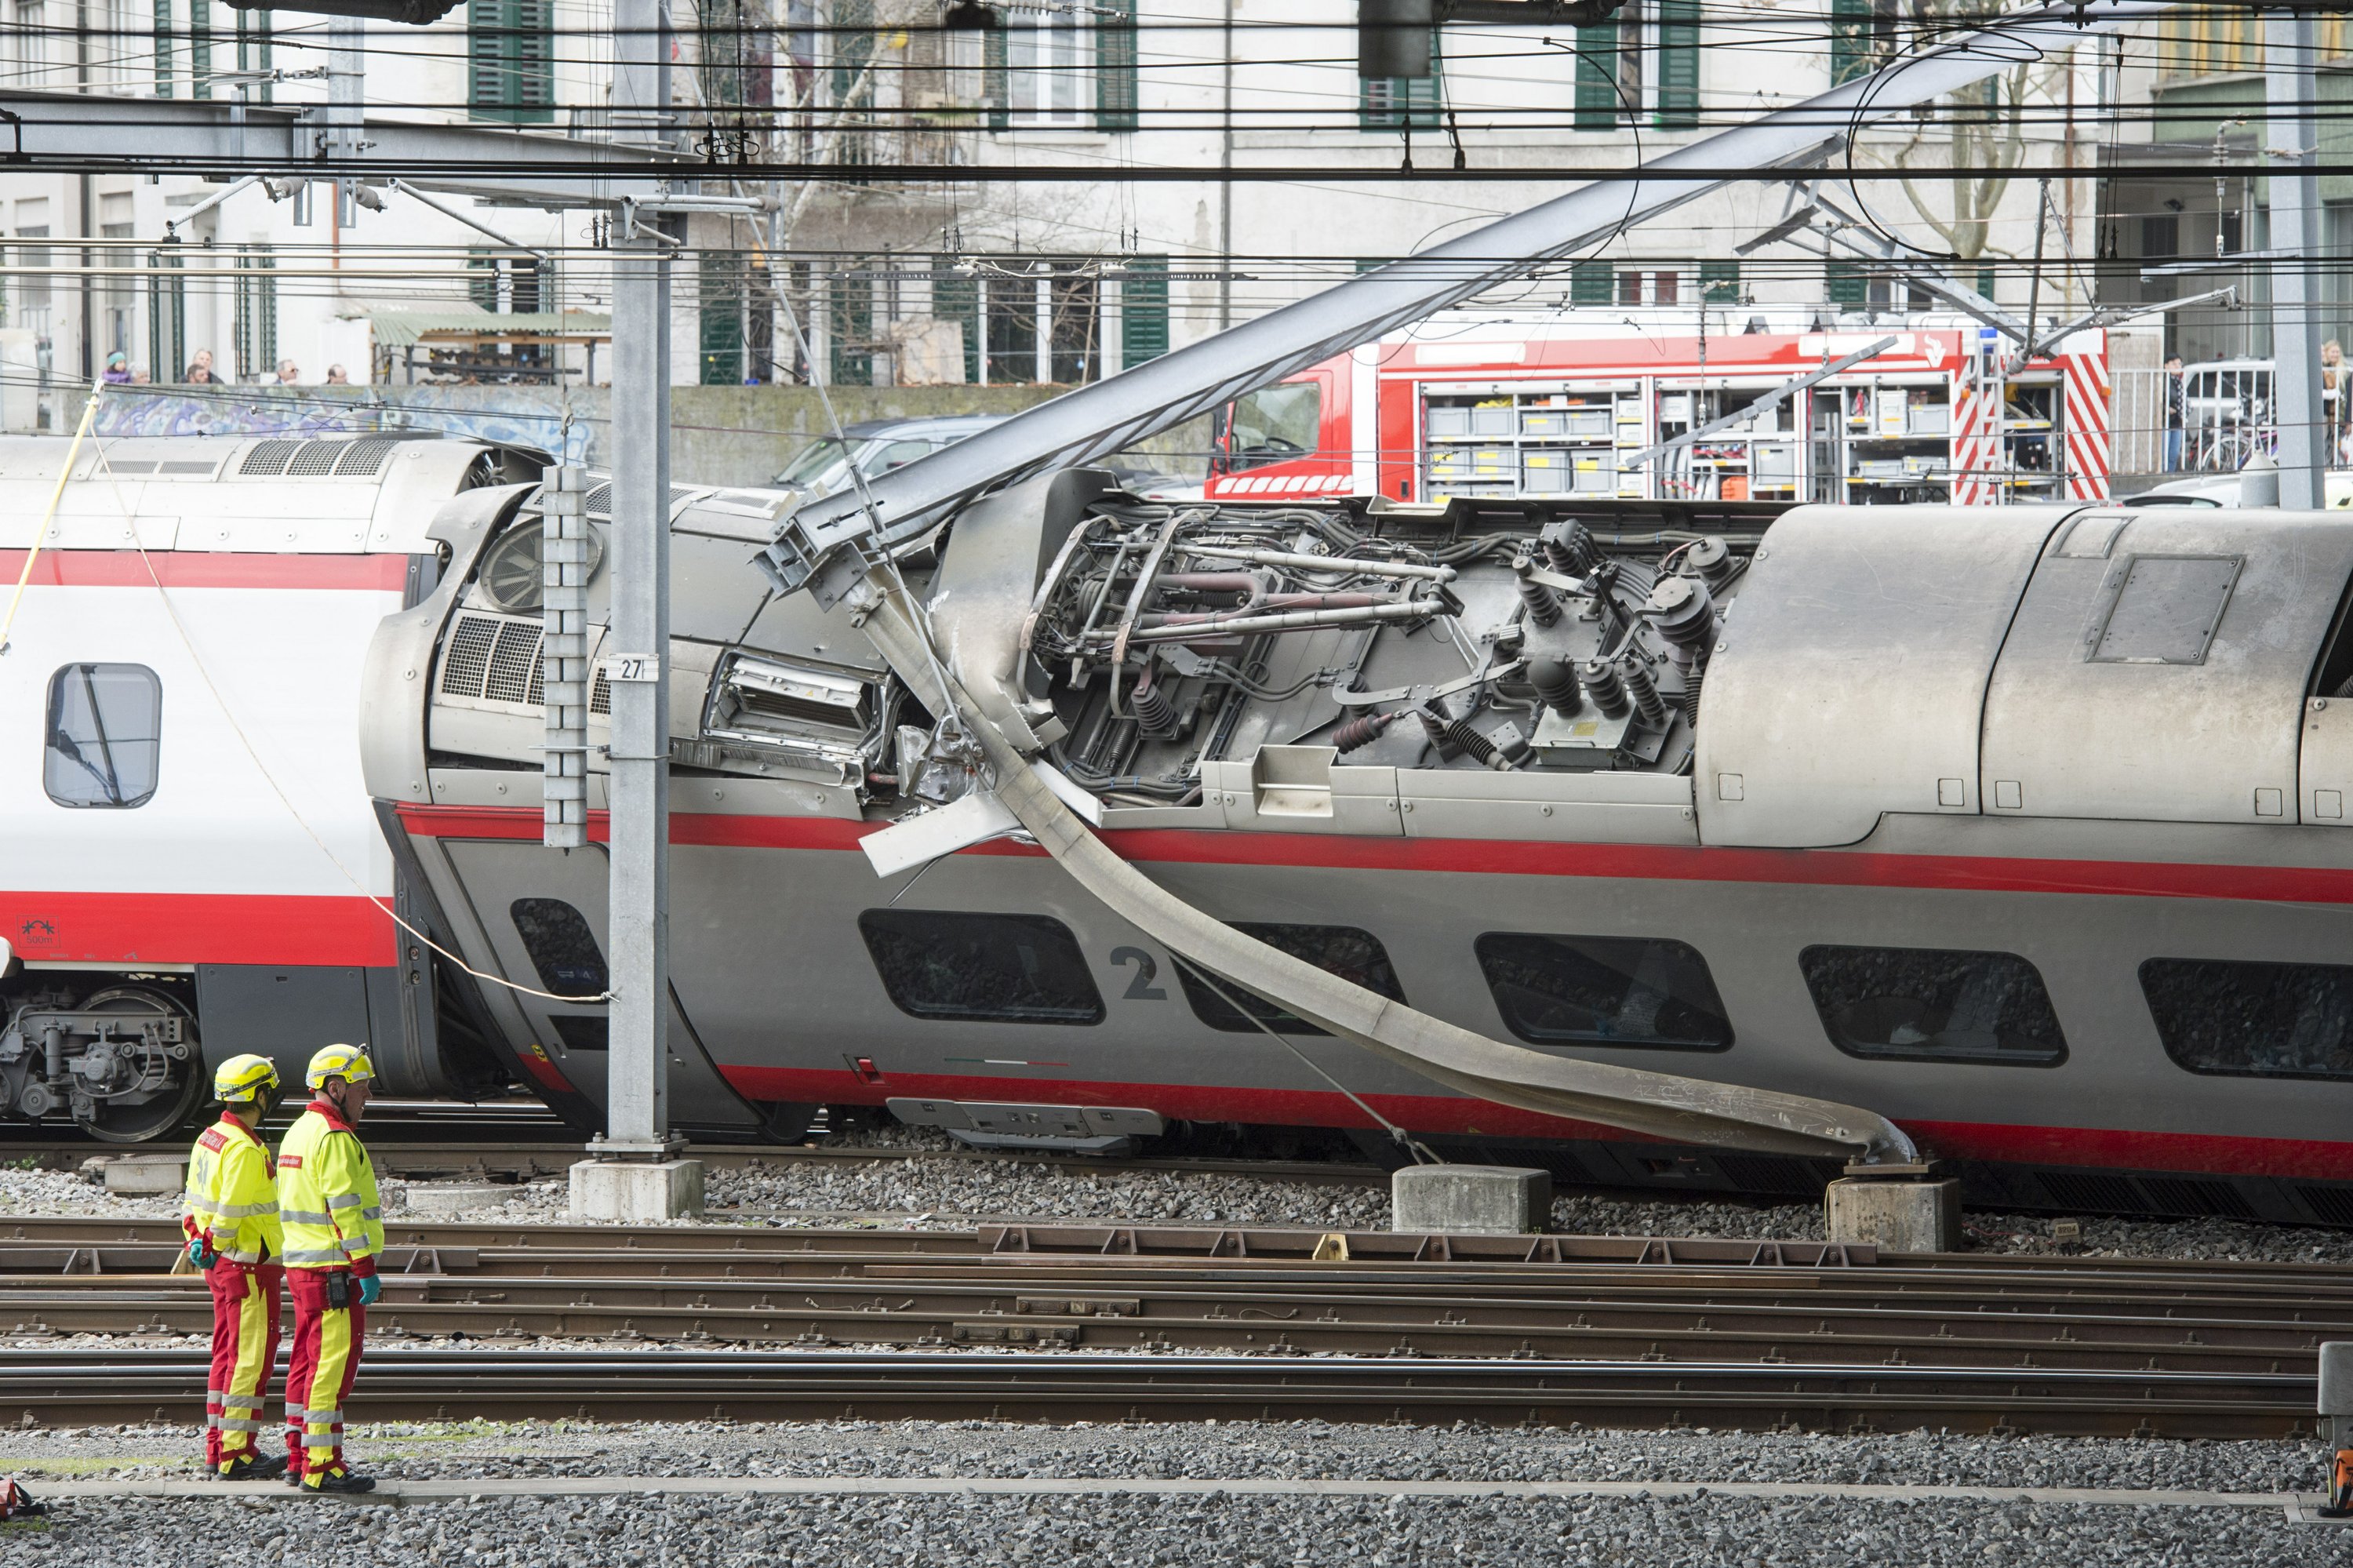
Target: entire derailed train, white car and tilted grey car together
[2015,825]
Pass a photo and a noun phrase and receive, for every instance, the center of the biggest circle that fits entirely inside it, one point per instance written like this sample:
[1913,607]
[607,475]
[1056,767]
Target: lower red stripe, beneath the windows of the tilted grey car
[1959,1141]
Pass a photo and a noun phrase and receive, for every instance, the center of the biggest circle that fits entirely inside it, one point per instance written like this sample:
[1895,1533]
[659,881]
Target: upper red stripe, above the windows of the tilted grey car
[1505,858]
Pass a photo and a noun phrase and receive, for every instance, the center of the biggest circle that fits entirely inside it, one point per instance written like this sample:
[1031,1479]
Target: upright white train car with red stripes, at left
[189,861]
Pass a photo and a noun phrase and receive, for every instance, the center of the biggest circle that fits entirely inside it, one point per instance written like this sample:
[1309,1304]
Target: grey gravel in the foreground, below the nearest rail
[1112,1529]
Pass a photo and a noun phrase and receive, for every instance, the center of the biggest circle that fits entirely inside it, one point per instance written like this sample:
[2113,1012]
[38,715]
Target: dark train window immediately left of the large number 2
[992,969]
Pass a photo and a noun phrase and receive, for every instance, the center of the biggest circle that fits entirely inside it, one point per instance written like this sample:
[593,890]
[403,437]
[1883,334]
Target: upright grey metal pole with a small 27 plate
[639,656]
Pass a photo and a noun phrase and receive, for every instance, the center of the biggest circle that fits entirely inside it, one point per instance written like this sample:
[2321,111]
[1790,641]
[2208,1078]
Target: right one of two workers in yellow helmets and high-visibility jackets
[335,1235]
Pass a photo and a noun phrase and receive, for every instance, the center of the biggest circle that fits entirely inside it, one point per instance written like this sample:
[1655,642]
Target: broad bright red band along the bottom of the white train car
[196,929]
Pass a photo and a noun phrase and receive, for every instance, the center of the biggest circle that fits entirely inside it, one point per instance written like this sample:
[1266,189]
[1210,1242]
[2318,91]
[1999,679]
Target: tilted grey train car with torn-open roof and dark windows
[2025,828]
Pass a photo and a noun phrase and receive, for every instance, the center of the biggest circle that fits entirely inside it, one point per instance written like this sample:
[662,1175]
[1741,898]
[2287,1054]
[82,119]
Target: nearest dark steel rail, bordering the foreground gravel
[76,1388]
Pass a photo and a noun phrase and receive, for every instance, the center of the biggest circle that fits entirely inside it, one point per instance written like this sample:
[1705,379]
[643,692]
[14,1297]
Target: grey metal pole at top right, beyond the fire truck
[2295,244]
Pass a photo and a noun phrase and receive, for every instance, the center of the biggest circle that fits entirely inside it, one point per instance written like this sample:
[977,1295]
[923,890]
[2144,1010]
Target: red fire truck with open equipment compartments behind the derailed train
[1484,408]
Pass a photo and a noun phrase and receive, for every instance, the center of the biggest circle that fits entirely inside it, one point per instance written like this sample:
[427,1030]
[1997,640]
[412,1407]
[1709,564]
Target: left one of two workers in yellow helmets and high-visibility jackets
[232,1223]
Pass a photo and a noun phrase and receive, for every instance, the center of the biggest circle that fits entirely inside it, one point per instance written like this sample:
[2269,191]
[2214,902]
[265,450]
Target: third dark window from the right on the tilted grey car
[1604,992]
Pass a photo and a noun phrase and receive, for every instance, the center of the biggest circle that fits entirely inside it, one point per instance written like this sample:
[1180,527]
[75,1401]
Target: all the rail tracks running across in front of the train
[1185,1322]
